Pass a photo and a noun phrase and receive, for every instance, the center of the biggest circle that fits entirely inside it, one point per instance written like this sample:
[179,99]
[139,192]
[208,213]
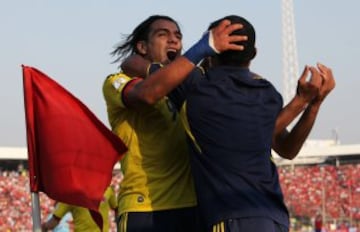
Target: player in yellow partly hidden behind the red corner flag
[82,219]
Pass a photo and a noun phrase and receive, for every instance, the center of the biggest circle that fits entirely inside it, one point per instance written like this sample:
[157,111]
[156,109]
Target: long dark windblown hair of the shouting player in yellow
[140,33]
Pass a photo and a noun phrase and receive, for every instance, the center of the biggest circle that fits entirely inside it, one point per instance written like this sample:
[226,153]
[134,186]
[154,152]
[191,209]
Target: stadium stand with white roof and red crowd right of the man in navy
[323,179]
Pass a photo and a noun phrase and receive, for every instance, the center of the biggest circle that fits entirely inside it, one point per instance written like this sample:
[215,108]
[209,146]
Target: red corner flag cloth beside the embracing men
[71,153]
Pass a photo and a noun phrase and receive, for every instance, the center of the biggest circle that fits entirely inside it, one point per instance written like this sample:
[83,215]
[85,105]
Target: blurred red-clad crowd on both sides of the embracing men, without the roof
[332,191]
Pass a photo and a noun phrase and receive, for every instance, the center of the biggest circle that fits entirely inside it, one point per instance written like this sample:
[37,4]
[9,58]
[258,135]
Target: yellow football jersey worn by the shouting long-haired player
[156,167]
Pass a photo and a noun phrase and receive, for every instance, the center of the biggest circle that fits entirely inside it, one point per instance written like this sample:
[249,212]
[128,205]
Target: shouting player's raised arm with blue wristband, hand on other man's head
[161,82]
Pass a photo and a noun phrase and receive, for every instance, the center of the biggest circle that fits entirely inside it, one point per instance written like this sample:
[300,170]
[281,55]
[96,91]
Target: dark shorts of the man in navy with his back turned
[249,224]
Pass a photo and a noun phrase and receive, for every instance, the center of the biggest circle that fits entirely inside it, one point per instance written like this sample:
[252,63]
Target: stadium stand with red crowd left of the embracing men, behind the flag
[15,197]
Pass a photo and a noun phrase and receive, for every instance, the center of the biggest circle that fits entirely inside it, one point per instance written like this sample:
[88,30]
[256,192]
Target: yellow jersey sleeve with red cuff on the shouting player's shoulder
[114,89]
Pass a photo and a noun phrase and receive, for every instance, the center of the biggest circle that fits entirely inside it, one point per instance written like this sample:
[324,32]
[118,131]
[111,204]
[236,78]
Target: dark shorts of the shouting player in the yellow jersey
[176,220]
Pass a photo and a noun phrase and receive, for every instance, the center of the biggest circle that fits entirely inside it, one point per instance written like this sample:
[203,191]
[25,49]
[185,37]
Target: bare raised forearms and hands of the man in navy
[309,97]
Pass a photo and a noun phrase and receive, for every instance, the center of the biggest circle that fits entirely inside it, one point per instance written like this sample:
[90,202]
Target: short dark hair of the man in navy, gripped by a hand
[238,57]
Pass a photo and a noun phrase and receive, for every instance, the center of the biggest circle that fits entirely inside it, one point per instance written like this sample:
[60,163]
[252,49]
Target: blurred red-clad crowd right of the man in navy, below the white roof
[332,191]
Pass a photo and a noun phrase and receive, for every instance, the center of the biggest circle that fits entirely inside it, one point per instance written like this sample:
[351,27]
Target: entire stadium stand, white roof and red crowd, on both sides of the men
[324,179]
